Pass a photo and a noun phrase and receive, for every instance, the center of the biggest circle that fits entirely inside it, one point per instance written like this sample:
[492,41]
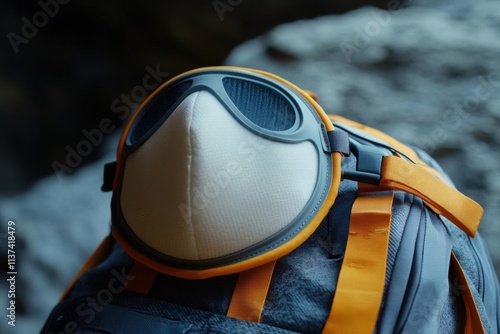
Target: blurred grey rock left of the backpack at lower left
[58,224]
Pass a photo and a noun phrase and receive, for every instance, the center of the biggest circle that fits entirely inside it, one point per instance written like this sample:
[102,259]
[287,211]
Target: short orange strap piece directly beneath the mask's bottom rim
[250,293]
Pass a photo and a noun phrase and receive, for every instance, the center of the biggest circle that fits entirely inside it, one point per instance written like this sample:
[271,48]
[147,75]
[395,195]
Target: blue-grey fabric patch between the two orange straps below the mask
[301,291]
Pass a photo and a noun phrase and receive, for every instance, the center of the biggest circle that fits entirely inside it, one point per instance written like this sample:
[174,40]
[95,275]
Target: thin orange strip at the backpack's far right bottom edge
[473,322]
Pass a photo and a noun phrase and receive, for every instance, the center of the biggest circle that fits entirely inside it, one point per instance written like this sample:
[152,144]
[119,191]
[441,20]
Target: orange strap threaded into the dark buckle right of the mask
[445,200]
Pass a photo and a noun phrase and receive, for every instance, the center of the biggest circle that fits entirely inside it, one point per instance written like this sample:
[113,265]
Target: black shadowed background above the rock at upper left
[63,69]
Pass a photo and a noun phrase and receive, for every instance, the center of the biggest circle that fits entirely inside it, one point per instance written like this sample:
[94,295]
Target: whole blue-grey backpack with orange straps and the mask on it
[240,206]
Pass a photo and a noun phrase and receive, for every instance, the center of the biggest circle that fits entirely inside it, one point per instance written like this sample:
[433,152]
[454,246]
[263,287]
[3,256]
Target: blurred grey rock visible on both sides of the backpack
[416,73]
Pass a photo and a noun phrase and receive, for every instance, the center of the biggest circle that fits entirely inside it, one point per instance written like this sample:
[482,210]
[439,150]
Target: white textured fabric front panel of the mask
[203,186]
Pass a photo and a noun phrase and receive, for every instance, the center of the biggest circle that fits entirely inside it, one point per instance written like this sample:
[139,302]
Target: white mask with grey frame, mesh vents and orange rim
[221,170]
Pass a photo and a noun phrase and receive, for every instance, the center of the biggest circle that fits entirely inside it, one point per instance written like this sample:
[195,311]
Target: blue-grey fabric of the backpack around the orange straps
[422,294]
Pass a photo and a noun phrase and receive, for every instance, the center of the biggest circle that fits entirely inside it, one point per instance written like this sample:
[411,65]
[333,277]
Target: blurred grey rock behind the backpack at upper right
[428,76]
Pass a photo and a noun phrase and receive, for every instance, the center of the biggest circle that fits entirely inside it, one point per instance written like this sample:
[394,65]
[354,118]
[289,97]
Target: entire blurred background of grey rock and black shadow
[425,72]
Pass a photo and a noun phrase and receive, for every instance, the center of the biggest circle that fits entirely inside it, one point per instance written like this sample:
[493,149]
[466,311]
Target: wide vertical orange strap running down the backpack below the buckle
[360,286]
